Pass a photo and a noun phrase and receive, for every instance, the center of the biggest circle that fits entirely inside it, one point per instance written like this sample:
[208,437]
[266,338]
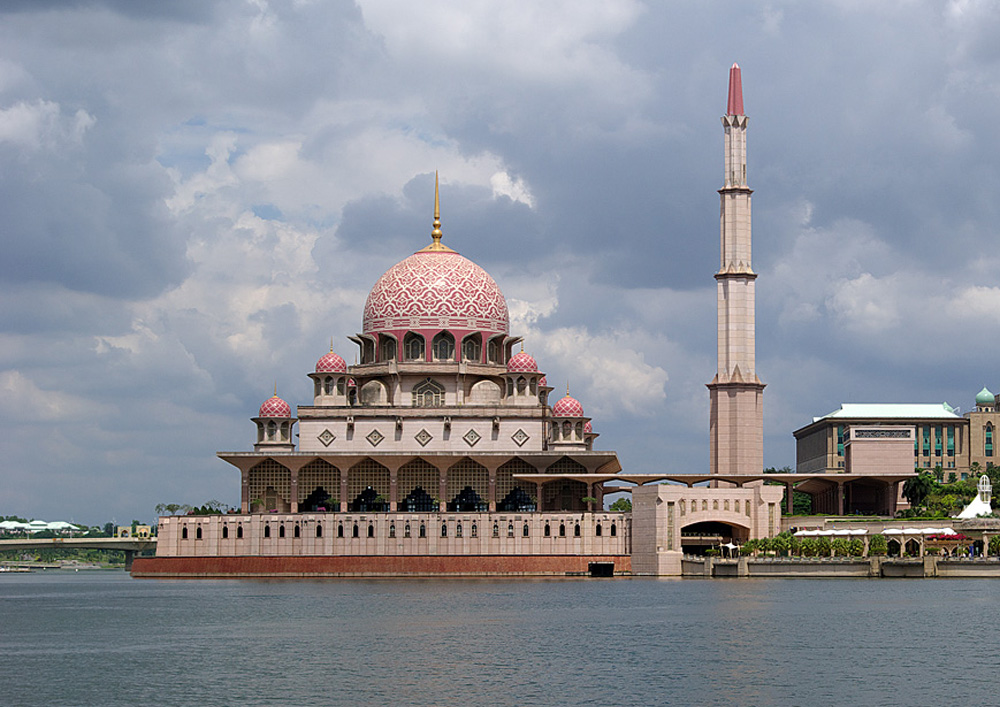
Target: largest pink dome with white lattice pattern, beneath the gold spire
[436,290]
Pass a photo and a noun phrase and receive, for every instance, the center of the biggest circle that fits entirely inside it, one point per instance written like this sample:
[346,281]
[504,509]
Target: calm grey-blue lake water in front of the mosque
[101,638]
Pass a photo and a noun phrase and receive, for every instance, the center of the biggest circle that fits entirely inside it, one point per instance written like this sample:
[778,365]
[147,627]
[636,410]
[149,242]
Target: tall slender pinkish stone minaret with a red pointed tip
[736,421]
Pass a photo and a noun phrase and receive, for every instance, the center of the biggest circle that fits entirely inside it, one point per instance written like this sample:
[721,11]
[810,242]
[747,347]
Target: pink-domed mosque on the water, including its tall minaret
[439,451]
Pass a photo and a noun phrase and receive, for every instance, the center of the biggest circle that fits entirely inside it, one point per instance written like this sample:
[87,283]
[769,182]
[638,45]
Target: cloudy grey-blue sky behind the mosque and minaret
[196,195]
